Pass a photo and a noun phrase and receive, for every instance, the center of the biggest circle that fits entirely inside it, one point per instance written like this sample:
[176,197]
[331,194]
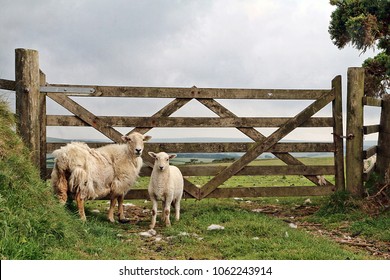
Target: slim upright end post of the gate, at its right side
[337,133]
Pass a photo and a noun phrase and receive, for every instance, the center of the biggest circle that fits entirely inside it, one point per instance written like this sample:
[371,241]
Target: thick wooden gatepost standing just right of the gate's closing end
[354,155]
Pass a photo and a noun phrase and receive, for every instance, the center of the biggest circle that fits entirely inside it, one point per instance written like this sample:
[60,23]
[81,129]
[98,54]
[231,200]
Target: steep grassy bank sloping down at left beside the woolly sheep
[32,224]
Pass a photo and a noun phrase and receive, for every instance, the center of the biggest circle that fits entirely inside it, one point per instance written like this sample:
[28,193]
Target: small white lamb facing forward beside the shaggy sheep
[166,185]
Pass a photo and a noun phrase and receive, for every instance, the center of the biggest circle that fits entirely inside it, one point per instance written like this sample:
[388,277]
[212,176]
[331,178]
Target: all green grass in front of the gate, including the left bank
[34,226]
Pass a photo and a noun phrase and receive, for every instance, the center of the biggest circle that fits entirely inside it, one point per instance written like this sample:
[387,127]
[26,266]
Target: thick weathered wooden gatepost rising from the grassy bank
[27,90]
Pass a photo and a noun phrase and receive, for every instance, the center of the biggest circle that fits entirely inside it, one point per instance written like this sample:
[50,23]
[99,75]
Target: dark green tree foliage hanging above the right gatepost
[365,24]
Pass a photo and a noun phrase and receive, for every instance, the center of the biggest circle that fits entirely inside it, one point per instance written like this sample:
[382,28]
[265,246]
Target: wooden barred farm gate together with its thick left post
[32,90]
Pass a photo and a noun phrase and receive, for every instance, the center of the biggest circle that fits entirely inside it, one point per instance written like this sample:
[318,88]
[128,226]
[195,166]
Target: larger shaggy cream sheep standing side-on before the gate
[110,171]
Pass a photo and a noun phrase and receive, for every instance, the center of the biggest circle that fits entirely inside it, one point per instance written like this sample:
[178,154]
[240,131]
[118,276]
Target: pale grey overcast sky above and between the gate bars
[221,43]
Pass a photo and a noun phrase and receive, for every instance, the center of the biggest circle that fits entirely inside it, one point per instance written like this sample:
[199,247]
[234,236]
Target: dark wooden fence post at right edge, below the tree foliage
[383,160]
